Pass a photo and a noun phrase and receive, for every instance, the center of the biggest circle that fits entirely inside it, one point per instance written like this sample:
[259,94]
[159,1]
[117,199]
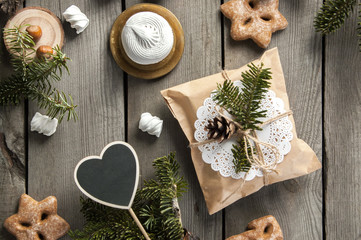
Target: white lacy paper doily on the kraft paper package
[219,155]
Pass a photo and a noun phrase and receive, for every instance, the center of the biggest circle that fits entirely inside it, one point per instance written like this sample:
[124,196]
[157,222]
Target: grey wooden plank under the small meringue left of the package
[202,57]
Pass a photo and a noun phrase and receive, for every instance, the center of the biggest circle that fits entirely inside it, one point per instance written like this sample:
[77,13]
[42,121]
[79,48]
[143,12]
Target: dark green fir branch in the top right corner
[332,15]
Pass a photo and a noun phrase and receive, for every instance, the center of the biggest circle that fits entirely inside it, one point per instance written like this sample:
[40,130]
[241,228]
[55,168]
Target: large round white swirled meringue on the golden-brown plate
[147,38]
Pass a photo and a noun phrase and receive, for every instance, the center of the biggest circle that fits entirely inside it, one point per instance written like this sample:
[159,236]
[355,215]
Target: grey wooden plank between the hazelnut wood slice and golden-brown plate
[96,83]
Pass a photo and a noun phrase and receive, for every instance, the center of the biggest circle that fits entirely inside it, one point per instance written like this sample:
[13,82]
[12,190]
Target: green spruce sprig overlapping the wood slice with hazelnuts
[33,77]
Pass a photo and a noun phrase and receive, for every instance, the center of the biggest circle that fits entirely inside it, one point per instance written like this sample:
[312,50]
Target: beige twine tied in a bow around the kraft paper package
[248,135]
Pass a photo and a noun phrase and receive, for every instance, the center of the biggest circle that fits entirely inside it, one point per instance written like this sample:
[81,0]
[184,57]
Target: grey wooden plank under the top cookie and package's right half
[297,204]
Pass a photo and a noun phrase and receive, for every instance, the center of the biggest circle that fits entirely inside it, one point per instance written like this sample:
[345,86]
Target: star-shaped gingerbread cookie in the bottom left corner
[37,220]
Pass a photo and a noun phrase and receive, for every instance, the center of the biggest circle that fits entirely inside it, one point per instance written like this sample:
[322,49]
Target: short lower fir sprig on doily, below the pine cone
[240,161]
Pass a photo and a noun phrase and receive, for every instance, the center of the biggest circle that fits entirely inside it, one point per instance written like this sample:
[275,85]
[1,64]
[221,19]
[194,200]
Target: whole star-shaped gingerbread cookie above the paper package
[255,19]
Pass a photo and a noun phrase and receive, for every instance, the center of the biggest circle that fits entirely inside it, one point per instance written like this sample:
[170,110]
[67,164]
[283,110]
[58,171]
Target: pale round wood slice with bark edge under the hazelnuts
[53,32]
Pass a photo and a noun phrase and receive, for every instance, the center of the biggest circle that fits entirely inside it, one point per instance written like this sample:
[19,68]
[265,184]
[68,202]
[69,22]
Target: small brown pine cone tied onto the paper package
[221,129]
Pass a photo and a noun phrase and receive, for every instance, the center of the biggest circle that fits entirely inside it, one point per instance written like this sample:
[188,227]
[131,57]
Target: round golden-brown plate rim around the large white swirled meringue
[150,71]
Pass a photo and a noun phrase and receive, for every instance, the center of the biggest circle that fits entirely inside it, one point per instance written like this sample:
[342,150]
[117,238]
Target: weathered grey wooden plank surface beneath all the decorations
[323,82]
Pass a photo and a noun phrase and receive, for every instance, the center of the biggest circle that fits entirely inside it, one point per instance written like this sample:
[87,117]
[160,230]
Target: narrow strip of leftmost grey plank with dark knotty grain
[12,149]
